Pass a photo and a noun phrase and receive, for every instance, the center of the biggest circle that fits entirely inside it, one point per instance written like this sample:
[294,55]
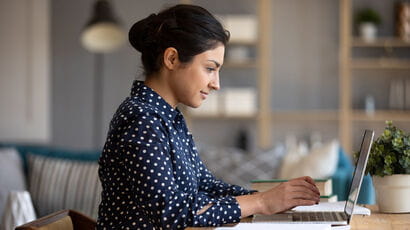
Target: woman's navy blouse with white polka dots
[151,174]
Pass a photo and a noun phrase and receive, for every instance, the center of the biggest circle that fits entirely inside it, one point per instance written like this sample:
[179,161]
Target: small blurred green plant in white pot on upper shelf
[367,21]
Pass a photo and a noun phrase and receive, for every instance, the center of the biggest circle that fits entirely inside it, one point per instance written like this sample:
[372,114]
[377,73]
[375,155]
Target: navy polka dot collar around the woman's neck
[153,99]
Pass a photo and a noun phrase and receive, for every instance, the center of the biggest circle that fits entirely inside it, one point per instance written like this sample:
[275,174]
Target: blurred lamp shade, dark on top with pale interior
[103,33]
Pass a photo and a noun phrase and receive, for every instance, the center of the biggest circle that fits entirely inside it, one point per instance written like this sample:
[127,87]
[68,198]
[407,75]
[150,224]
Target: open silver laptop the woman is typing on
[333,218]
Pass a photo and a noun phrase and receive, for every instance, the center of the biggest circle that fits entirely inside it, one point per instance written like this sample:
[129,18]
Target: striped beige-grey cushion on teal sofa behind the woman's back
[57,184]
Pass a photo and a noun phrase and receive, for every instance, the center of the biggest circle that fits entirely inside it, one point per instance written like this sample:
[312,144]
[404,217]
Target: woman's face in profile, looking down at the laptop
[193,82]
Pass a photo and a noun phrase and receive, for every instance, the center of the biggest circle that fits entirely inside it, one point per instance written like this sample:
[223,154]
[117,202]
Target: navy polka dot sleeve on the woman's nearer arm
[150,170]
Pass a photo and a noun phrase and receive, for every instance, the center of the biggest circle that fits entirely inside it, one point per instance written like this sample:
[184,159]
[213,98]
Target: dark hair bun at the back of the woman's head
[140,34]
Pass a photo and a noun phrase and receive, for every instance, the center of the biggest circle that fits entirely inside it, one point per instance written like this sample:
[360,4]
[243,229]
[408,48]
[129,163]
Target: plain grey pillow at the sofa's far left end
[11,174]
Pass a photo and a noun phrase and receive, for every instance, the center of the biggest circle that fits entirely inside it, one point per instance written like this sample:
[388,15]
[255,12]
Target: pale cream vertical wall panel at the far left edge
[24,71]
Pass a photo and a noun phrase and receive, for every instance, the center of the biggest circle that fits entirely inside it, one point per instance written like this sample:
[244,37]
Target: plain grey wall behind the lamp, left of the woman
[73,70]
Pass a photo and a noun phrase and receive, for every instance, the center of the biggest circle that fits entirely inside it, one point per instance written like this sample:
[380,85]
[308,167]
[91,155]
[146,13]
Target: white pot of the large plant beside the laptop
[392,193]
